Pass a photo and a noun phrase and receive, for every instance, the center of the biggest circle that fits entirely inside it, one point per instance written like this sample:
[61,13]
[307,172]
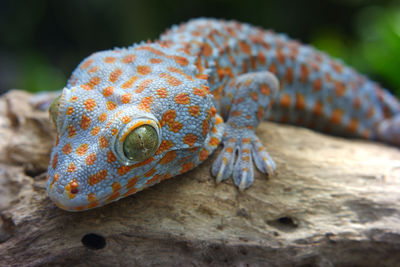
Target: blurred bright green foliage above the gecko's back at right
[375,51]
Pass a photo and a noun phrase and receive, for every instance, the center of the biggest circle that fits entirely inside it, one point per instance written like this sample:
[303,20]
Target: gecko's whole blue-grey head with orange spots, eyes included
[118,137]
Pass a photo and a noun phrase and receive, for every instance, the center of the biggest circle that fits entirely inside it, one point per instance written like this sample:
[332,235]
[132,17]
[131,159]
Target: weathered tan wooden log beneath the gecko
[331,202]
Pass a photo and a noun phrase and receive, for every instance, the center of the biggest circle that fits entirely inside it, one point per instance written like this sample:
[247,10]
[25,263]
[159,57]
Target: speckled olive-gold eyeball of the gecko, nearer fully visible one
[141,143]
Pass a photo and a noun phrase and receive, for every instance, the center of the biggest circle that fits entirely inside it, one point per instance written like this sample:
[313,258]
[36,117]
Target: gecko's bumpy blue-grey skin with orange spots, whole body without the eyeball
[185,85]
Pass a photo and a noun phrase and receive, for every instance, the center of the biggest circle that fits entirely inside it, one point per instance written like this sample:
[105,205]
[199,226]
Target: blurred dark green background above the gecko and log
[42,41]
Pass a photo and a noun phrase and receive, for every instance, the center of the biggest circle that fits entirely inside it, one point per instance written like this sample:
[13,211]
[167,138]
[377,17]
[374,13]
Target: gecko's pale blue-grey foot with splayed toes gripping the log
[241,148]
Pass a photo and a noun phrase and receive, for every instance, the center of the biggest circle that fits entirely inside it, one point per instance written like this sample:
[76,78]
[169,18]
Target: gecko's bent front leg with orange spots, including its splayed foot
[245,101]
